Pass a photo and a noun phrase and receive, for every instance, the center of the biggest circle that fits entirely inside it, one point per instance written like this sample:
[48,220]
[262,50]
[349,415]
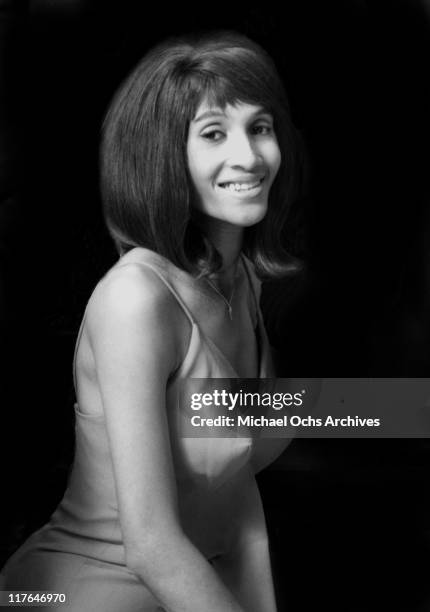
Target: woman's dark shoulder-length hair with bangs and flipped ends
[145,184]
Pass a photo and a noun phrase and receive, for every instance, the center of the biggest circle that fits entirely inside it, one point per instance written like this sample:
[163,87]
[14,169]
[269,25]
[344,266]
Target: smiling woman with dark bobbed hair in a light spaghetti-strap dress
[197,162]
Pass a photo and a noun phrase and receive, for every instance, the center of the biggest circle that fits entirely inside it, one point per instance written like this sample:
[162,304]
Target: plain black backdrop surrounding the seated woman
[348,519]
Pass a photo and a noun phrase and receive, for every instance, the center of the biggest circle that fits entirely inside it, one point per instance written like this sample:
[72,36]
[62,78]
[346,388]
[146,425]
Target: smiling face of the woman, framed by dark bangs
[233,158]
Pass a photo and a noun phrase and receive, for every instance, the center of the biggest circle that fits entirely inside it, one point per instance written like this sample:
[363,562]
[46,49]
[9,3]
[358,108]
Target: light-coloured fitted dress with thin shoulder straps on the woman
[80,552]
